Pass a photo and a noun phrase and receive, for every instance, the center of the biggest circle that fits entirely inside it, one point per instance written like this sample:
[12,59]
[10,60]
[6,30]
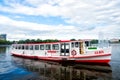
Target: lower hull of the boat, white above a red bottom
[91,59]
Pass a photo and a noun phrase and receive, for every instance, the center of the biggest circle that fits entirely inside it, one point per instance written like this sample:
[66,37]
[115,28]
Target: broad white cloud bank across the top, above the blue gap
[73,11]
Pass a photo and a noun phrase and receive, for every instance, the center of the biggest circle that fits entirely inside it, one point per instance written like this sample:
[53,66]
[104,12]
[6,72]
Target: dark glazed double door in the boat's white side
[65,49]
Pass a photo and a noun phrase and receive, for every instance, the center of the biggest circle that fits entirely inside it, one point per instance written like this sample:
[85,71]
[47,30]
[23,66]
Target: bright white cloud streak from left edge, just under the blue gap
[32,26]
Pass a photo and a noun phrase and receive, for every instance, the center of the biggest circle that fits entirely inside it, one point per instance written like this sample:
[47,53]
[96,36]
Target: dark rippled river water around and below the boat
[14,68]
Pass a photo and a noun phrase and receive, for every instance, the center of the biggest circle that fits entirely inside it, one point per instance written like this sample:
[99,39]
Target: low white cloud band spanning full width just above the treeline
[23,30]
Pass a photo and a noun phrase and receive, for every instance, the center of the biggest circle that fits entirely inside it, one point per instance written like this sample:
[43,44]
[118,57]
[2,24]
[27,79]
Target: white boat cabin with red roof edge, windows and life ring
[62,48]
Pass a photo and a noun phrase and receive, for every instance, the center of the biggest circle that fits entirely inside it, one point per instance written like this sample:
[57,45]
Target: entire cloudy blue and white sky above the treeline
[59,19]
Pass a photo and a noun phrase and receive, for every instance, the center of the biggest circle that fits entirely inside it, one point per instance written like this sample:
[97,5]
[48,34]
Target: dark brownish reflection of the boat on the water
[56,71]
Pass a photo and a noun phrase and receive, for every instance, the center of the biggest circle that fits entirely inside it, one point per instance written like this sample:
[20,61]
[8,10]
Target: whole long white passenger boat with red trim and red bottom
[74,51]
